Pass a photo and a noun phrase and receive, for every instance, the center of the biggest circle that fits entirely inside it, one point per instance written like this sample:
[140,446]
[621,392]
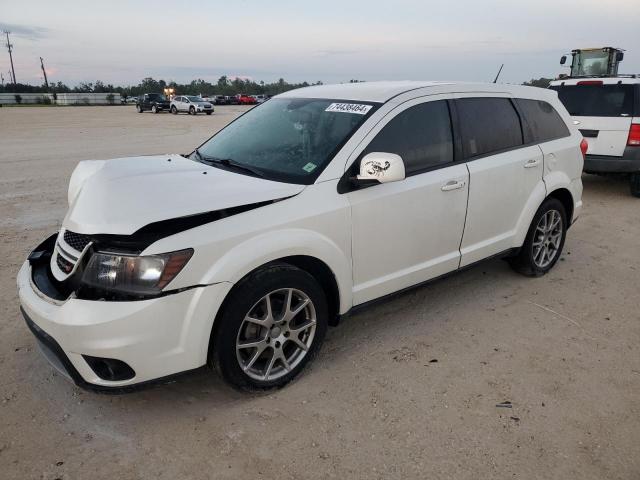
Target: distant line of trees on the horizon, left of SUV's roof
[224,86]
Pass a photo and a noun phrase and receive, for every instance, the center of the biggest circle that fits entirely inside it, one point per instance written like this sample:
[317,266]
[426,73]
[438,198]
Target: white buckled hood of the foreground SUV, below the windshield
[123,195]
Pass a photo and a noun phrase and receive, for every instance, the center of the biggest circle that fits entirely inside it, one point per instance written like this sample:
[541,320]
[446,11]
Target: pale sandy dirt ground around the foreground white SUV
[407,389]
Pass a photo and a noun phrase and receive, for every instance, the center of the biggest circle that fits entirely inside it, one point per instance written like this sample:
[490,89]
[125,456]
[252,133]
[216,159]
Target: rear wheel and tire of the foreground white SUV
[544,241]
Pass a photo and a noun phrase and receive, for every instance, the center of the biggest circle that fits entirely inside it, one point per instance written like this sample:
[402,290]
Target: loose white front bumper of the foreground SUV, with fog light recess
[112,345]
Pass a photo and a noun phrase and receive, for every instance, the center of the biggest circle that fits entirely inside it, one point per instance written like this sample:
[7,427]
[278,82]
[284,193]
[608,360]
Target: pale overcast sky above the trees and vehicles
[121,42]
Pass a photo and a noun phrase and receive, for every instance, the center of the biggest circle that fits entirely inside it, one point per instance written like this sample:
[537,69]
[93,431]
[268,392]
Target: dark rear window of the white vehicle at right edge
[597,100]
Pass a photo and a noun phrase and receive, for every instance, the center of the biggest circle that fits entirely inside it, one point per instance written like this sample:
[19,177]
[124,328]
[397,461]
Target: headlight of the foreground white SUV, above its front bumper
[134,274]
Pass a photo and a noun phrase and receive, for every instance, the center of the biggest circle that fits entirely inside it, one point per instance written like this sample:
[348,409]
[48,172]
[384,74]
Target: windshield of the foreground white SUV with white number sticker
[289,140]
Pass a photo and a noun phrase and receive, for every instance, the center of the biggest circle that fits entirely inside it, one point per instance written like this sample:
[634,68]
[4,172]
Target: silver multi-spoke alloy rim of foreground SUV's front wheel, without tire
[276,334]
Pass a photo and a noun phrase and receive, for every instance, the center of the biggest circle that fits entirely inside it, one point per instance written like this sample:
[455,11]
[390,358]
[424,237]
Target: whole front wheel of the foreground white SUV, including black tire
[272,325]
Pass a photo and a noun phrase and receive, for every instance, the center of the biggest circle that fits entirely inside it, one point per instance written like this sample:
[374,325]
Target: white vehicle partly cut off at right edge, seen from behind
[607,110]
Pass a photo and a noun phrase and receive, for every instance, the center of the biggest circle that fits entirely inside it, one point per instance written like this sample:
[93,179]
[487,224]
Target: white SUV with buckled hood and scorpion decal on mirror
[317,201]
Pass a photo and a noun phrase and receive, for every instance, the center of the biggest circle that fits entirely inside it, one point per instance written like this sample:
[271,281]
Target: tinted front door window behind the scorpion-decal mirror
[421,135]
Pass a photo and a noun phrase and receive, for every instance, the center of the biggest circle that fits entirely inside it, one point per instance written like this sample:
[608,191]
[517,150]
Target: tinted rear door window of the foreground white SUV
[488,125]
